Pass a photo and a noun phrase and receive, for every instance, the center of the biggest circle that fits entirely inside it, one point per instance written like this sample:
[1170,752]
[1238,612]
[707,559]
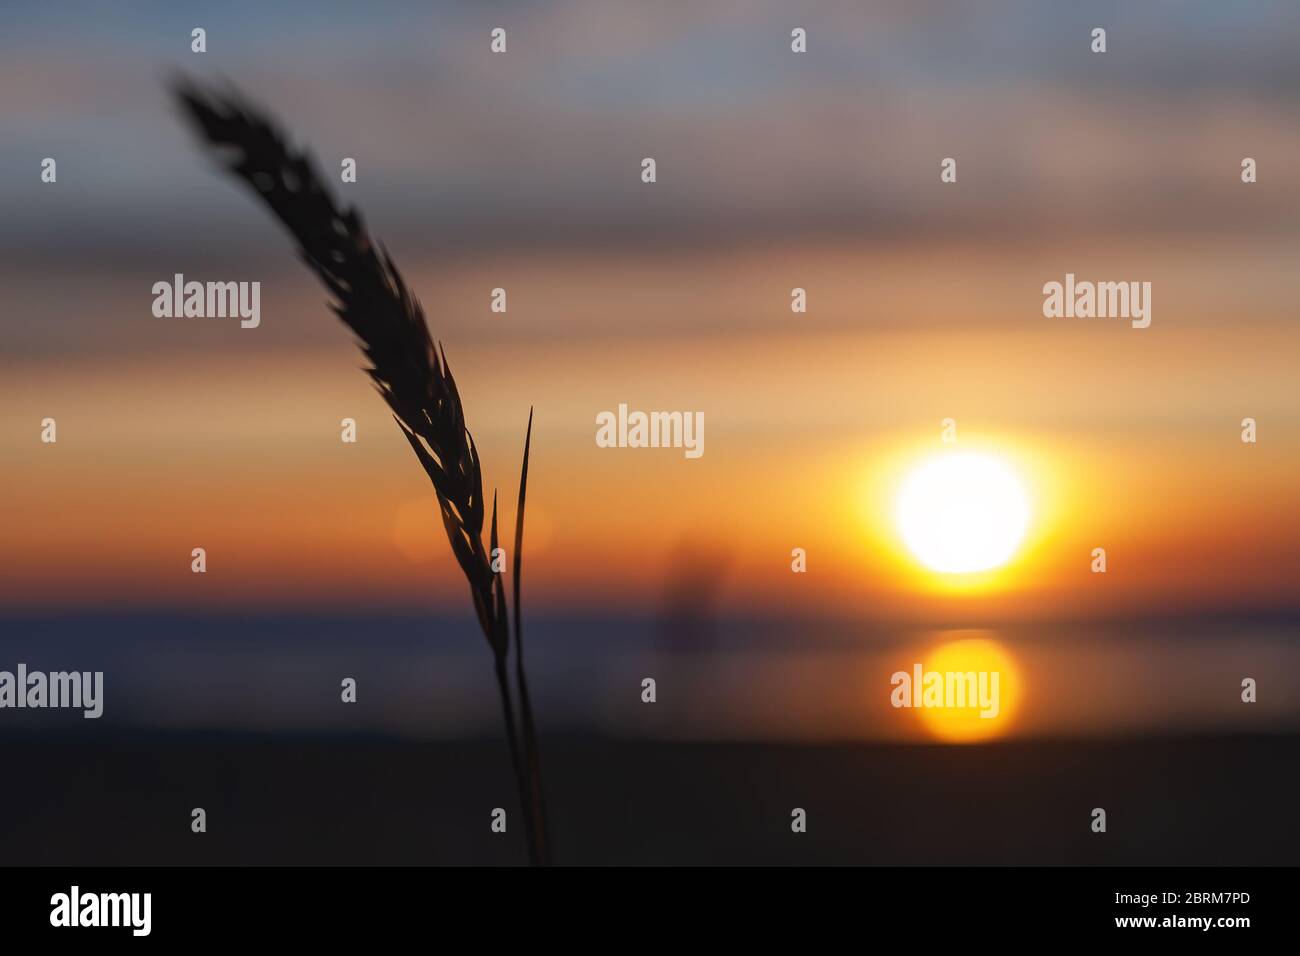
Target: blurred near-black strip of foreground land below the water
[127,801]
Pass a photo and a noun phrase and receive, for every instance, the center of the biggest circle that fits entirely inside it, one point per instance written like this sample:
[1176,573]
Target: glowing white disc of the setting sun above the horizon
[963,513]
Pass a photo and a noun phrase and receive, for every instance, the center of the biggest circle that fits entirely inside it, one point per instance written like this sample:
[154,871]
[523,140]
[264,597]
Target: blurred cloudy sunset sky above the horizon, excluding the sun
[775,171]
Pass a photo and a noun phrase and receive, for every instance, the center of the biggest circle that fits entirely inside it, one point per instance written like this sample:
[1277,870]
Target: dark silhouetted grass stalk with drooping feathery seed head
[409,371]
